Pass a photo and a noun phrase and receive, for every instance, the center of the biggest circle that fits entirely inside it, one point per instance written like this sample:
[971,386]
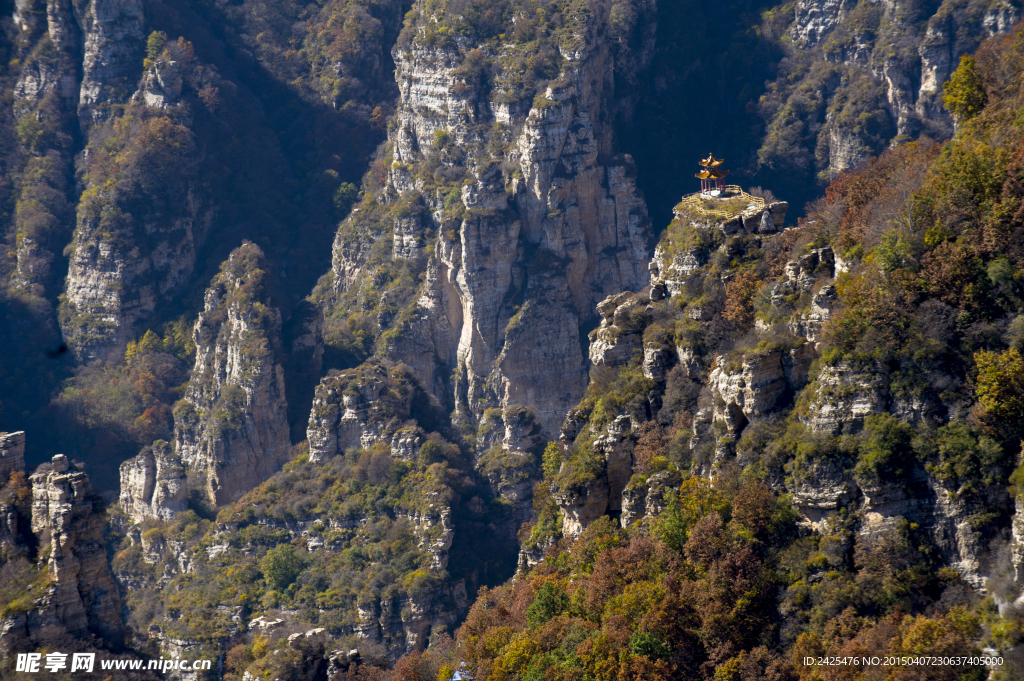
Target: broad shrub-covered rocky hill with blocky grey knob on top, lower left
[378,489]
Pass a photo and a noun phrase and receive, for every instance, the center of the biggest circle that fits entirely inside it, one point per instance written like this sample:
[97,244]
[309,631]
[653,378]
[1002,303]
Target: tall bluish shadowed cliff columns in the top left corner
[78,64]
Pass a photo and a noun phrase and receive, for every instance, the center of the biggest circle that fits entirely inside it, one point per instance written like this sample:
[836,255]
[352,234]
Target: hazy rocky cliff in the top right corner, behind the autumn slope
[862,74]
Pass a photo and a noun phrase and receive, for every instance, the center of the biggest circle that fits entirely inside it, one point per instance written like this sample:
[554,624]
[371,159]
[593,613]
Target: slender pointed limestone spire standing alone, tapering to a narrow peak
[232,428]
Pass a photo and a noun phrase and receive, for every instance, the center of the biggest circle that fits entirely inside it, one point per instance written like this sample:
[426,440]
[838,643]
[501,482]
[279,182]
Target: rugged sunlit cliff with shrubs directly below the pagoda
[669,403]
